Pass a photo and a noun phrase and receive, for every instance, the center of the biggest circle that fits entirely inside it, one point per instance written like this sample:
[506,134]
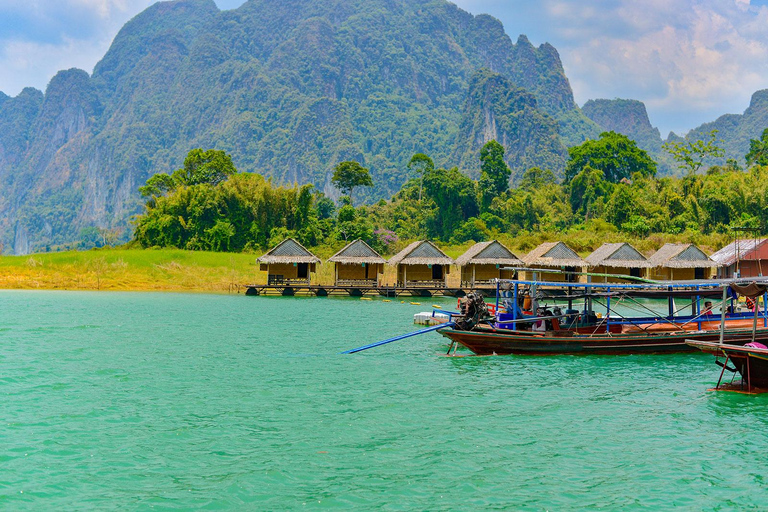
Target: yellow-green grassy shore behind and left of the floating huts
[125,269]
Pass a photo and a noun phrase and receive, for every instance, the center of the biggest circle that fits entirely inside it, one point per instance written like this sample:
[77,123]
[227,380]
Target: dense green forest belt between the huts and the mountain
[611,191]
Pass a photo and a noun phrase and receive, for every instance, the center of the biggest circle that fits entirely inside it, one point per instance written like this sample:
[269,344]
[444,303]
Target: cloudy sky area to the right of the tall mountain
[688,60]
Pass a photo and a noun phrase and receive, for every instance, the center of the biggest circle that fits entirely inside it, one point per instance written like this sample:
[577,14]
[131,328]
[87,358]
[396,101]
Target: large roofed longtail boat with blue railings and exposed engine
[534,317]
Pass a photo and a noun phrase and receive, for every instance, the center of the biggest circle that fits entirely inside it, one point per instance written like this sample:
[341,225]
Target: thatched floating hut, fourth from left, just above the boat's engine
[484,262]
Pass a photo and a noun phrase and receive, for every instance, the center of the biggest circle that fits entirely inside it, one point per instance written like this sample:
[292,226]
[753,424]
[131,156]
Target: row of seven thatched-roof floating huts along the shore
[423,265]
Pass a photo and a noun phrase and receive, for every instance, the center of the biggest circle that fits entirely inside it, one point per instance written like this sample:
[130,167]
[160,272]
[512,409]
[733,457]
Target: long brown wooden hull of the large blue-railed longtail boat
[504,342]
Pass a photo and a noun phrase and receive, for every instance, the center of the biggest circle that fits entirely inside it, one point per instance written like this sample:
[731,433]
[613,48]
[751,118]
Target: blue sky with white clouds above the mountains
[689,61]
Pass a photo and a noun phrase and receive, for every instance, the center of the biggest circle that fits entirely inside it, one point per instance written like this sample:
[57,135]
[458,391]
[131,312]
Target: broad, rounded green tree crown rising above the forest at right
[614,154]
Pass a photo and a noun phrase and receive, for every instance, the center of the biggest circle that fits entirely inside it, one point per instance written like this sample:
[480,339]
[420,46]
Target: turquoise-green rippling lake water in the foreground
[172,401]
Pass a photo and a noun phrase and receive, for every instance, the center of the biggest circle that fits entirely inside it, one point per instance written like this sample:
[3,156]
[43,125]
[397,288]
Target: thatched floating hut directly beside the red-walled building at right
[680,262]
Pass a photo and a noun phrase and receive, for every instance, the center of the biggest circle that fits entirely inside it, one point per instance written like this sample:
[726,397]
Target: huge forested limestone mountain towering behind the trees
[288,87]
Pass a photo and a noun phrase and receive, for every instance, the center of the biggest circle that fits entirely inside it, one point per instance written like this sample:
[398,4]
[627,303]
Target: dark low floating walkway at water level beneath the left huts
[320,290]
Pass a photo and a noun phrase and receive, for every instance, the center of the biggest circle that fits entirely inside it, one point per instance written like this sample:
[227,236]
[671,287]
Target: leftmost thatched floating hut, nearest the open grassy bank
[288,263]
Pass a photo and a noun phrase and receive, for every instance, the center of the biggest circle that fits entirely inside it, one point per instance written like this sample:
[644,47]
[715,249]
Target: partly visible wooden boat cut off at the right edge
[747,353]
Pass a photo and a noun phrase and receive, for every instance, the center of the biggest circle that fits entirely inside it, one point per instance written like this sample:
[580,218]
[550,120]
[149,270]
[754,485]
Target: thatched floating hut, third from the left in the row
[421,264]
